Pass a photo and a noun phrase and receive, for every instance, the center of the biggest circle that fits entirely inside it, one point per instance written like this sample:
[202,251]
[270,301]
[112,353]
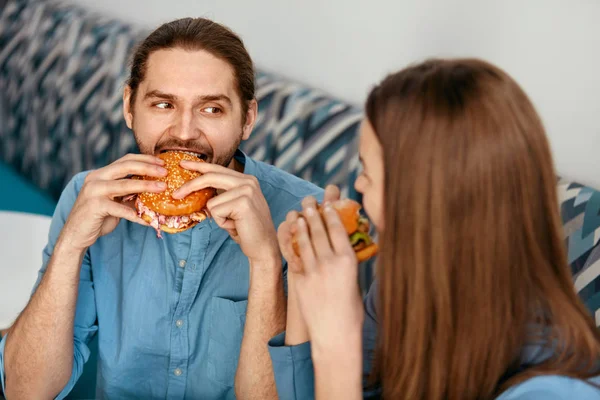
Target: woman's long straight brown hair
[473,267]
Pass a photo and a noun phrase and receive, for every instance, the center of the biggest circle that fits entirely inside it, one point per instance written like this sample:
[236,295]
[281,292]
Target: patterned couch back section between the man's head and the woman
[306,133]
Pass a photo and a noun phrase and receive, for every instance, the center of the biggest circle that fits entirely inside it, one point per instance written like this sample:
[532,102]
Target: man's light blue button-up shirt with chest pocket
[169,313]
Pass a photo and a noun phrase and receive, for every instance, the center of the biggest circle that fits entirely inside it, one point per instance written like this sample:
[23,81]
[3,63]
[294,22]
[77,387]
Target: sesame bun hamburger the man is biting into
[161,210]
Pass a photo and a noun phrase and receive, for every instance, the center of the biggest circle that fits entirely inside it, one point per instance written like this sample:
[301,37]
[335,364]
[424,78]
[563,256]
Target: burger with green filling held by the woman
[357,227]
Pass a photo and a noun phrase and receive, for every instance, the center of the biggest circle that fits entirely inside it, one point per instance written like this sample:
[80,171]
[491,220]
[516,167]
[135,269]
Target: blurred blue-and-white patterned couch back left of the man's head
[61,78]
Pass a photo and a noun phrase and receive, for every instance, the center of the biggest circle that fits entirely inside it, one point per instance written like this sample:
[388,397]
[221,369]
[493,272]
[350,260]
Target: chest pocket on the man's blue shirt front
[227,319]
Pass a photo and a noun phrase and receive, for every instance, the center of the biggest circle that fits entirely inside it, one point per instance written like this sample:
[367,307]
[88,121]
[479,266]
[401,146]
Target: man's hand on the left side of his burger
[98,209]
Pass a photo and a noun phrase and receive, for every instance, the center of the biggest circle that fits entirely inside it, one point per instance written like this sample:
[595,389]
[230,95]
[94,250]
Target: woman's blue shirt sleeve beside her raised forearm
[293,367]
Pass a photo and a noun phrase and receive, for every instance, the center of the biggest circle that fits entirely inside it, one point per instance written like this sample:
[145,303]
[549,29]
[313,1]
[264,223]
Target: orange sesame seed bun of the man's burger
[163,203]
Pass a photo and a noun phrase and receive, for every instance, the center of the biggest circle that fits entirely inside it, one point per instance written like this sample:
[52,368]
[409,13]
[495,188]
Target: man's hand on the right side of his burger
[240,209]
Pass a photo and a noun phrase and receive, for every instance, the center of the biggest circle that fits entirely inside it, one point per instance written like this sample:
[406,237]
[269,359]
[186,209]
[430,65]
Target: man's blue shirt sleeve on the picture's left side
[85,325]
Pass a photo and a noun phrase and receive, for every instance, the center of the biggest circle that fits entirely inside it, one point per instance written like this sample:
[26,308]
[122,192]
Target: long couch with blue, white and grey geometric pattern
[62,70]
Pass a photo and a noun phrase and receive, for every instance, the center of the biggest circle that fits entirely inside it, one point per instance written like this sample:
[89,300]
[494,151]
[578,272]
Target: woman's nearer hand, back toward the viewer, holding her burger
[327,288]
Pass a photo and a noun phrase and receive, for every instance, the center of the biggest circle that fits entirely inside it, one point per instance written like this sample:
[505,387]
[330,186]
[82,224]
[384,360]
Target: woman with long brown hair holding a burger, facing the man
[474,294]
